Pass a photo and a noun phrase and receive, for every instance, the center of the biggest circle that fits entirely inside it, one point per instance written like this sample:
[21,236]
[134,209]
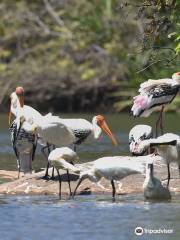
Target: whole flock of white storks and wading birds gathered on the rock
[55,135]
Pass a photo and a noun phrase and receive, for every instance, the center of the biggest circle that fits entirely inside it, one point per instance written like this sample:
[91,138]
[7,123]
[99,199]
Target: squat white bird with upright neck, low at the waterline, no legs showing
[153,188]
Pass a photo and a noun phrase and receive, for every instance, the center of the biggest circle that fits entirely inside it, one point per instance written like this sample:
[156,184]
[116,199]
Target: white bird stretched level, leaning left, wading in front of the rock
[113,168]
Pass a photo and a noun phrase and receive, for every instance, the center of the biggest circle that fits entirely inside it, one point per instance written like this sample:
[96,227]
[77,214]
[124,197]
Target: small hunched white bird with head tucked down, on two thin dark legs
[63,158]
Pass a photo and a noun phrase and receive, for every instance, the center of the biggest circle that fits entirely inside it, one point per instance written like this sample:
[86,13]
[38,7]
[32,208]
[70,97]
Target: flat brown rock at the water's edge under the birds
[35,184]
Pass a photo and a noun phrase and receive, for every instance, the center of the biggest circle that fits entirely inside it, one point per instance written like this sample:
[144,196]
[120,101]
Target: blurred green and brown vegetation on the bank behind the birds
[86,55]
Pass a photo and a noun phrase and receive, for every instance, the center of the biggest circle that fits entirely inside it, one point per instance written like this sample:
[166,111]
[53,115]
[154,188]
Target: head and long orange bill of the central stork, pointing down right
[100,124]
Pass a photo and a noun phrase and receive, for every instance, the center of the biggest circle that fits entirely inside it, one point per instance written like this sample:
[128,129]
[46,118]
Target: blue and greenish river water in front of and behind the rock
[87,217]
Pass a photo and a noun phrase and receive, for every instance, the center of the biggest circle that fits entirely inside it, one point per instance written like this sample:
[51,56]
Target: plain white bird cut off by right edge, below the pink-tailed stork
[168,147]
